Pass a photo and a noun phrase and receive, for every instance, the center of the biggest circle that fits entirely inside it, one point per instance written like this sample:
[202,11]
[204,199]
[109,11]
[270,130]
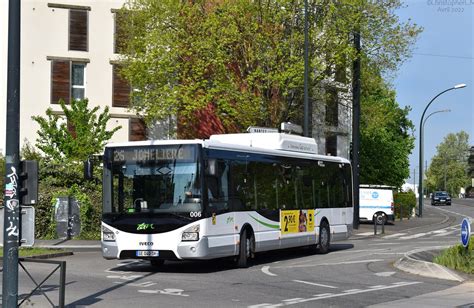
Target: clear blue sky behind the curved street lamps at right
[443,57]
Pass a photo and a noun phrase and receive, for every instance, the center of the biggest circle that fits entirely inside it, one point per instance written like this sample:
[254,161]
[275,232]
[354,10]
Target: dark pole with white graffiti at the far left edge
[11,223]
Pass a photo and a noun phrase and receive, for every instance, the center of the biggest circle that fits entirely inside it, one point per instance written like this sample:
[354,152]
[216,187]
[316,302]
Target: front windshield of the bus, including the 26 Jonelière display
[155,179]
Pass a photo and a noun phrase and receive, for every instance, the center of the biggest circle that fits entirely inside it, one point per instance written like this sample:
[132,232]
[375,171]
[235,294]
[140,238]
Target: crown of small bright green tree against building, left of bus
[76,135]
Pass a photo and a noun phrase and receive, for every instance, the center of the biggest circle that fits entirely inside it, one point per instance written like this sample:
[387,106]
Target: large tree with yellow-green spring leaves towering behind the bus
[240,62]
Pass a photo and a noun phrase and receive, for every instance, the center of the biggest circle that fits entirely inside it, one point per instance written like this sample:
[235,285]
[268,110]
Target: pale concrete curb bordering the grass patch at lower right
[411,263]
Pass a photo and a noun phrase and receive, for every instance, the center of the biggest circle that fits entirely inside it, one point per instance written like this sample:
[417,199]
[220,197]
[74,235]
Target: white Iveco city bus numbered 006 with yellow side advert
[229,196]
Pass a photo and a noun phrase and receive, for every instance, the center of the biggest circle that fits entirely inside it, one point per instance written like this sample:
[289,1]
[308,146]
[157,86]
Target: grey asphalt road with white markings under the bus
[358,272]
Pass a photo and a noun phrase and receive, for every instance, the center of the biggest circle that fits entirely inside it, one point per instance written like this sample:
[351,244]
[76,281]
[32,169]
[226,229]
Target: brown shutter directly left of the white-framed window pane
[60,81]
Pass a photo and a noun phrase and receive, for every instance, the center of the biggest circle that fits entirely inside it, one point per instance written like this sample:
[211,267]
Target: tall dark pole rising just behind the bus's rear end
[355,126]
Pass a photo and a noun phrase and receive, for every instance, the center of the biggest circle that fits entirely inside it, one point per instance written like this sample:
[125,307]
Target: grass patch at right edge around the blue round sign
[458,258]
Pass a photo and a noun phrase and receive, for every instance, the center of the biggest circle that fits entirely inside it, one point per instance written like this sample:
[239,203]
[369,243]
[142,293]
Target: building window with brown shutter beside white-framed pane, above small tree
[67,80]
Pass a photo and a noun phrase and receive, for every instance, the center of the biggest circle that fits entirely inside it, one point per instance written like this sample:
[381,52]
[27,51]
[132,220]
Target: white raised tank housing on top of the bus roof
[272,141]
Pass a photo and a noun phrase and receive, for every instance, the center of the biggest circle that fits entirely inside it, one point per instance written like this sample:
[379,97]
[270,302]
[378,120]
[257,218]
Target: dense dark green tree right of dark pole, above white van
[386,135]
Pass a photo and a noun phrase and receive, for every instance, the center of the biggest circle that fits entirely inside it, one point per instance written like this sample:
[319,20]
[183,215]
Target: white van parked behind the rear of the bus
[376,201]
